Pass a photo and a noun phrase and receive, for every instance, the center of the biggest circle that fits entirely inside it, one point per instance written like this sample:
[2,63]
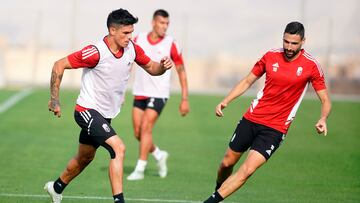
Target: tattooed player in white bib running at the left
[106,68]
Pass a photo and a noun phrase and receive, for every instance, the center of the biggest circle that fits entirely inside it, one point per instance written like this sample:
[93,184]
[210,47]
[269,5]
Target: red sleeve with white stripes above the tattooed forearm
[88,57]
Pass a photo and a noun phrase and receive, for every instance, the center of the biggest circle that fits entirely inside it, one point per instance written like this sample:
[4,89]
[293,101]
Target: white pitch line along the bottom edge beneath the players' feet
[99,198]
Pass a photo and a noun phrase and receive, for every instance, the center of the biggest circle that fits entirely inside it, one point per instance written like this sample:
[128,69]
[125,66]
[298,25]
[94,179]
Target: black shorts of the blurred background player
[156,104]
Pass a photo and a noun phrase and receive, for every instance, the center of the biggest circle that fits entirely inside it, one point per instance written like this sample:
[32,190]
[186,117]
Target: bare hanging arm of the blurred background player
[184,107]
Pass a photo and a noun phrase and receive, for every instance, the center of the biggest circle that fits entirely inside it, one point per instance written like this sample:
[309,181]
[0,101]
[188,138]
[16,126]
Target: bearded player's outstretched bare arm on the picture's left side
[238,90]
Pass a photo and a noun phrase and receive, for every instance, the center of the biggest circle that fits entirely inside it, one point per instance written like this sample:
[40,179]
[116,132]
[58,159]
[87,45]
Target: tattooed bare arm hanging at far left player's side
[56,77]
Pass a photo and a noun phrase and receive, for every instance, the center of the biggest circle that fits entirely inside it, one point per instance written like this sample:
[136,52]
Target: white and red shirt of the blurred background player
[146,85]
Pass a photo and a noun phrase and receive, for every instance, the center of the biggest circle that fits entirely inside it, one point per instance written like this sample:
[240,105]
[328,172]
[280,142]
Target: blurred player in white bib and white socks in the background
[152,92]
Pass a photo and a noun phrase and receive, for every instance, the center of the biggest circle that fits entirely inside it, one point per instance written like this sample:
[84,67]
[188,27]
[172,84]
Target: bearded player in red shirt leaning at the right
[288,72]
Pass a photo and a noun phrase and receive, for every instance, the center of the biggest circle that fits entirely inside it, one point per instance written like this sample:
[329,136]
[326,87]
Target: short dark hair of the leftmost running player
[120,17]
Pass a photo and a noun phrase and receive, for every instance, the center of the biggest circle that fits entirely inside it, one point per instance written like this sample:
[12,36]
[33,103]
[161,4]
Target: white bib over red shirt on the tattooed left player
[105,75]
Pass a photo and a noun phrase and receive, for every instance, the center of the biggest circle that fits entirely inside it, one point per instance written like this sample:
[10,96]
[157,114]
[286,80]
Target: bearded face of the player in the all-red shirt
[292,44]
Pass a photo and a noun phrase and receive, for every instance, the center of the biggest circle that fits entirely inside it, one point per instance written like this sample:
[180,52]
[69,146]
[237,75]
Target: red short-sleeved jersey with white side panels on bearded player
[285,86]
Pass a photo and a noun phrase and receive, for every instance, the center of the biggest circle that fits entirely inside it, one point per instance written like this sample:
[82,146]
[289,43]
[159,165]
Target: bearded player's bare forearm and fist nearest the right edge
[325,111]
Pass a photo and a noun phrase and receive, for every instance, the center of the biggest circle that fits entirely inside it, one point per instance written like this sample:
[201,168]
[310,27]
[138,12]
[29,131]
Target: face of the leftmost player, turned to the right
[122,34]
